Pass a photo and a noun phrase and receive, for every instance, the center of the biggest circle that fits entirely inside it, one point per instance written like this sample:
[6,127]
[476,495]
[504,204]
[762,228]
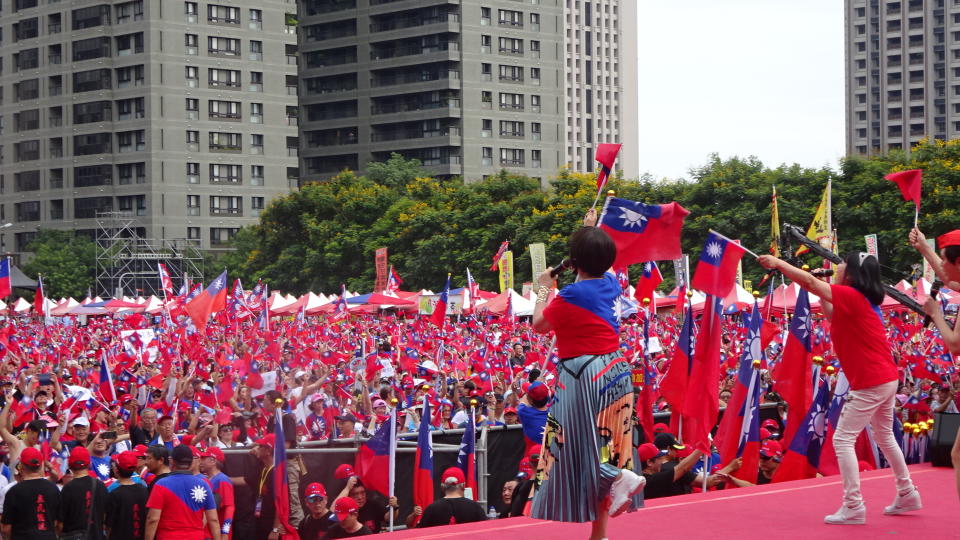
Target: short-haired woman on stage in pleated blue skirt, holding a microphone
[585,467]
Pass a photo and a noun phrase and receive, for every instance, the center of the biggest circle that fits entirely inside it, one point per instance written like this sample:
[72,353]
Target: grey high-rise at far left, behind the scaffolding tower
[182,114]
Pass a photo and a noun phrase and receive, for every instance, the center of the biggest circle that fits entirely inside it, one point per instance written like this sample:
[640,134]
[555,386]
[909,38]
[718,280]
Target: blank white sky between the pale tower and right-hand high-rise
[740,77]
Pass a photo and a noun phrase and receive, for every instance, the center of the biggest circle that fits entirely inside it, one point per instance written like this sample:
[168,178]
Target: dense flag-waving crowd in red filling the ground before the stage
[115,427]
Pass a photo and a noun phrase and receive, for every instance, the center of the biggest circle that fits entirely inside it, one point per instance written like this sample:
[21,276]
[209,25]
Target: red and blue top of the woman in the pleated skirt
[584,317]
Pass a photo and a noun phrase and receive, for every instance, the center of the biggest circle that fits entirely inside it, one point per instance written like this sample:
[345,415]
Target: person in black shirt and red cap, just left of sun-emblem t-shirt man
[126,507]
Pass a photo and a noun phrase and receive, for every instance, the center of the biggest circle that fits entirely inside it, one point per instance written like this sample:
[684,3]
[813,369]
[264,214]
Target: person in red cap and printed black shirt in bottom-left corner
[31,507]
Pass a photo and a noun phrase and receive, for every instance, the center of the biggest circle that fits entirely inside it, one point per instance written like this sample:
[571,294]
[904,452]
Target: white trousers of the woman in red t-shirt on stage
[872,405]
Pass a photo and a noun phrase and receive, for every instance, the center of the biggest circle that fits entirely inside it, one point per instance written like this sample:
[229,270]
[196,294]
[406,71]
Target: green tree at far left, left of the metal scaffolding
[65,259]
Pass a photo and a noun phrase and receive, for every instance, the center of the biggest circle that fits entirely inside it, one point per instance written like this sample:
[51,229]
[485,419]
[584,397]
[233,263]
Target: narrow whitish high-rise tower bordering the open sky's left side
[601,81]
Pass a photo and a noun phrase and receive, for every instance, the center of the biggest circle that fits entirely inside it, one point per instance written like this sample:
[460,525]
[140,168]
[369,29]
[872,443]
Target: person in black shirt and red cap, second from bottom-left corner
[83,500]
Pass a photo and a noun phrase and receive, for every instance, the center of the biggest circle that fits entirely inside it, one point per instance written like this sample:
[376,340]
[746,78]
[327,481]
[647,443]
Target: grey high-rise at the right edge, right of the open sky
[902,73]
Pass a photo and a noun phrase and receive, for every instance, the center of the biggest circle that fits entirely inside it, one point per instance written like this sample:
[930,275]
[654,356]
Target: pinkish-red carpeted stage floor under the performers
[787,510]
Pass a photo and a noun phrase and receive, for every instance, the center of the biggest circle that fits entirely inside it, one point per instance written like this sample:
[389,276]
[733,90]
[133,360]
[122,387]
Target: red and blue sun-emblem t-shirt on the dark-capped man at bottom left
[182,499]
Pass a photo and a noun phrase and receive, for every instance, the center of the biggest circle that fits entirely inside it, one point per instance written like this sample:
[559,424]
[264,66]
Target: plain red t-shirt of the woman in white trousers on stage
[860,339]
